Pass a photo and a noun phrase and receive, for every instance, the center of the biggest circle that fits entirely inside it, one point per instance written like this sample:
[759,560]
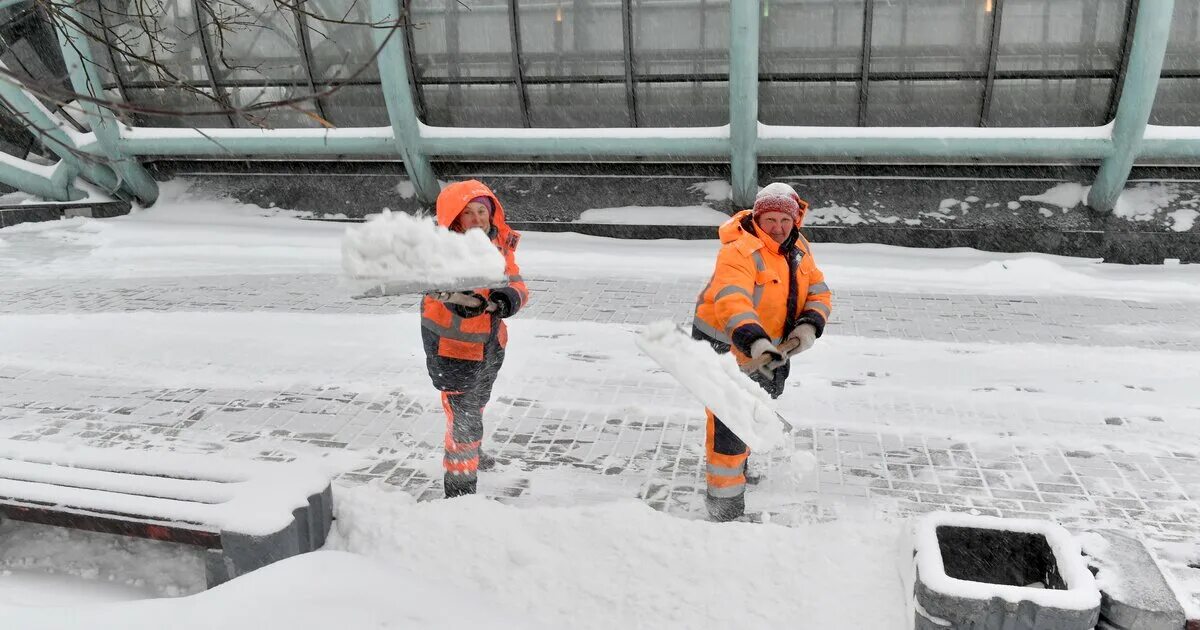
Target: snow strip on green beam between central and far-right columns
[1075,134]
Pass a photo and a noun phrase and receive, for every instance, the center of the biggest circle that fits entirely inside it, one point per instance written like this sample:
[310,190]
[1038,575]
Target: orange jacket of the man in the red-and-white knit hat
[747,297]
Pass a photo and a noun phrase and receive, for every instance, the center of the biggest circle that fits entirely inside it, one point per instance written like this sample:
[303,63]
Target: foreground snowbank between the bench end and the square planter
[625,566]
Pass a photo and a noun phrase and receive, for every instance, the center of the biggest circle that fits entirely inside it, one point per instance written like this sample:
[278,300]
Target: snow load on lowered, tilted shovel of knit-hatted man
[717,382]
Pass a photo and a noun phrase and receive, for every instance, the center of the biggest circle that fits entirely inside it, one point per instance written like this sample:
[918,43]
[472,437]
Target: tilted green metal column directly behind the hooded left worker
[399,95]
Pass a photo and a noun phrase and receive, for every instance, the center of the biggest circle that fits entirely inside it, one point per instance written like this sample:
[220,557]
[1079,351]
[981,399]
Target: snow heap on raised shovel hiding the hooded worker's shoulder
[395,247]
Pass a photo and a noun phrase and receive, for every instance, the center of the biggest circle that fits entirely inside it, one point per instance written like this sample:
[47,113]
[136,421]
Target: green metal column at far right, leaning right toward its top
[1151,31]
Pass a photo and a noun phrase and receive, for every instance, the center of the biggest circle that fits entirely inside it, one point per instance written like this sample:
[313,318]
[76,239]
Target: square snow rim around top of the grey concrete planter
[1082,592]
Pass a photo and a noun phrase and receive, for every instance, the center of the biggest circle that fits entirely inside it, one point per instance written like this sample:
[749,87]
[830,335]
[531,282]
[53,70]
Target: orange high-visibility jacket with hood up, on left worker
[465,339]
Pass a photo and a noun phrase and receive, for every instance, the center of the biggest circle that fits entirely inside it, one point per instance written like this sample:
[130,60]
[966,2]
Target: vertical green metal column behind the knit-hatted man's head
[745,100]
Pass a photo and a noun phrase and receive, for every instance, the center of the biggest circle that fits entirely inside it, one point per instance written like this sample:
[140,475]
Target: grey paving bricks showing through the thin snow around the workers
[650,448]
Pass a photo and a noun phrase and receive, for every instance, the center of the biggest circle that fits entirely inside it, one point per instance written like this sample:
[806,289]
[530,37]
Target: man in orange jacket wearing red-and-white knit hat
[766,289]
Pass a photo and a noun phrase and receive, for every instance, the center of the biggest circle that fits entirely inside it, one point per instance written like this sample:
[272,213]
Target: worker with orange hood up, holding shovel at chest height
[465,335]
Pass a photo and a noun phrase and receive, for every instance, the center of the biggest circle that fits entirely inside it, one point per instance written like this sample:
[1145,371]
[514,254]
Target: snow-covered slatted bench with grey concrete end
[247,514]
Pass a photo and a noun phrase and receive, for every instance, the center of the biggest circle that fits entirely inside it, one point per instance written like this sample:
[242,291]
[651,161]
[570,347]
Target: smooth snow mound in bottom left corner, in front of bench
[315,591]
